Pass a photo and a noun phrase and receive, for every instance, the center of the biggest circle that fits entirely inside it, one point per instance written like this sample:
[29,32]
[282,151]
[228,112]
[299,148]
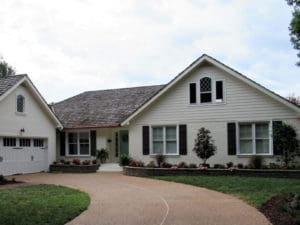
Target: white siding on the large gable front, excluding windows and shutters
[242,103]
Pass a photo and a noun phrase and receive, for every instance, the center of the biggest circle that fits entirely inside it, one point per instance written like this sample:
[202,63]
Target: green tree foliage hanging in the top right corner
[295,26]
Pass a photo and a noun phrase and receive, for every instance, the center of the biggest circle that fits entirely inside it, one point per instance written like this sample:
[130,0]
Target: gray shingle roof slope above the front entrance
[103,108]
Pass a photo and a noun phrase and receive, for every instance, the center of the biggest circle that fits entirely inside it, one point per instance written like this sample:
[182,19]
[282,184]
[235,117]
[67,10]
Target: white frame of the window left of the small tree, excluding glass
[164,139]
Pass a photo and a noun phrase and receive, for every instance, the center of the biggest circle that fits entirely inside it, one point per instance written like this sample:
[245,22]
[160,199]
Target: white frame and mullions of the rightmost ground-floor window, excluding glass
[254,138]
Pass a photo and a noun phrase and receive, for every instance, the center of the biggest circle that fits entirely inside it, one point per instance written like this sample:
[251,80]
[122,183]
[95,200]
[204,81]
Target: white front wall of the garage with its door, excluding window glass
[36,124]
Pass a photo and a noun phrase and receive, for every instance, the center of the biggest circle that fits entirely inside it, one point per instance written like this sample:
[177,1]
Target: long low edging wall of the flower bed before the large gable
[146,171]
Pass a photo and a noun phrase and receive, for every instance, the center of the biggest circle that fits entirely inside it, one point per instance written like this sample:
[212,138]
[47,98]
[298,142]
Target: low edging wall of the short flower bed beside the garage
[74,168]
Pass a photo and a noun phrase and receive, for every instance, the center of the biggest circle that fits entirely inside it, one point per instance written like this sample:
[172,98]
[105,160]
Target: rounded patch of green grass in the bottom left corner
[41,204]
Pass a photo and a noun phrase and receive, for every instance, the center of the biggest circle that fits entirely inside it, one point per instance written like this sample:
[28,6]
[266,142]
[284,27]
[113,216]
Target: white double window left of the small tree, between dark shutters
[164,140]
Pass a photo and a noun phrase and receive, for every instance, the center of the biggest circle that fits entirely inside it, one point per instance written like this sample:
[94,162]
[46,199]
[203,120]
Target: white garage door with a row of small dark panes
[22,155]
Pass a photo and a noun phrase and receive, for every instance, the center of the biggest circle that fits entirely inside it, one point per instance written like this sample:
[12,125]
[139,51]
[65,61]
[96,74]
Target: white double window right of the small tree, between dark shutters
[254,138]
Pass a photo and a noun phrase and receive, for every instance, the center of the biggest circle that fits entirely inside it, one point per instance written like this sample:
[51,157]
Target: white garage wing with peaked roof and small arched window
[27,128]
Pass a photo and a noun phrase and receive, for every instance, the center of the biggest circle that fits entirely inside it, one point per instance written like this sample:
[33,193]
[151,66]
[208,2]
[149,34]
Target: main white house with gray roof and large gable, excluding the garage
[164,119]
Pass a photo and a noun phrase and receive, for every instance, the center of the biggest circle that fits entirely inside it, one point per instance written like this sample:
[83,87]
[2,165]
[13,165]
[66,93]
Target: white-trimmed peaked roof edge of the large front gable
[205,59]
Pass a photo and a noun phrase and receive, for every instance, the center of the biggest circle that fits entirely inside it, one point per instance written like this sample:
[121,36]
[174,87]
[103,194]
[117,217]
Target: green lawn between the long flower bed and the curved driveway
[254,190]
